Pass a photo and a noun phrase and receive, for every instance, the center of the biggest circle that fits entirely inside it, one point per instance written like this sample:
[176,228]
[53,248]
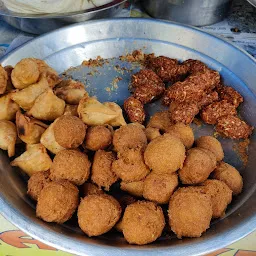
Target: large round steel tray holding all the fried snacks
[111,38]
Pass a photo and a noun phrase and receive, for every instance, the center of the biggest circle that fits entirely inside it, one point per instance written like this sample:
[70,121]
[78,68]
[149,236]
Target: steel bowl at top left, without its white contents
[40,24]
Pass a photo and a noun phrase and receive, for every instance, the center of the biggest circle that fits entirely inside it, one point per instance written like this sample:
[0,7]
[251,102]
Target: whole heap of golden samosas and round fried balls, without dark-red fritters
[83,160]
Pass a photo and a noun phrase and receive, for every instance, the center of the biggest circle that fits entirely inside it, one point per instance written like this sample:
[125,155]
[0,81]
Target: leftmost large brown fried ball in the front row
[57,201]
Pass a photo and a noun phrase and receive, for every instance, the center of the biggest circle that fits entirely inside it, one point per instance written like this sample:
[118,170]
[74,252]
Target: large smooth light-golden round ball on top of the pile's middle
[165,154]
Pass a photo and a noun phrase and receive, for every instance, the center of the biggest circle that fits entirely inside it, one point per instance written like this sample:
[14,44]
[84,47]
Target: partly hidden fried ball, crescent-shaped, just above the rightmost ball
[212,144]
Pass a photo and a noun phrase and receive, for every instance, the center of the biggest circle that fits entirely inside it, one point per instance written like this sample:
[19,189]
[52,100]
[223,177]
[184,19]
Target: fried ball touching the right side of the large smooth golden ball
[198,166]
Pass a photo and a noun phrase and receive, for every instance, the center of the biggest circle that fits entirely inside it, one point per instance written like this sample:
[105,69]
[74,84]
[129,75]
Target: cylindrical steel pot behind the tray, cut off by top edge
[192,12]
